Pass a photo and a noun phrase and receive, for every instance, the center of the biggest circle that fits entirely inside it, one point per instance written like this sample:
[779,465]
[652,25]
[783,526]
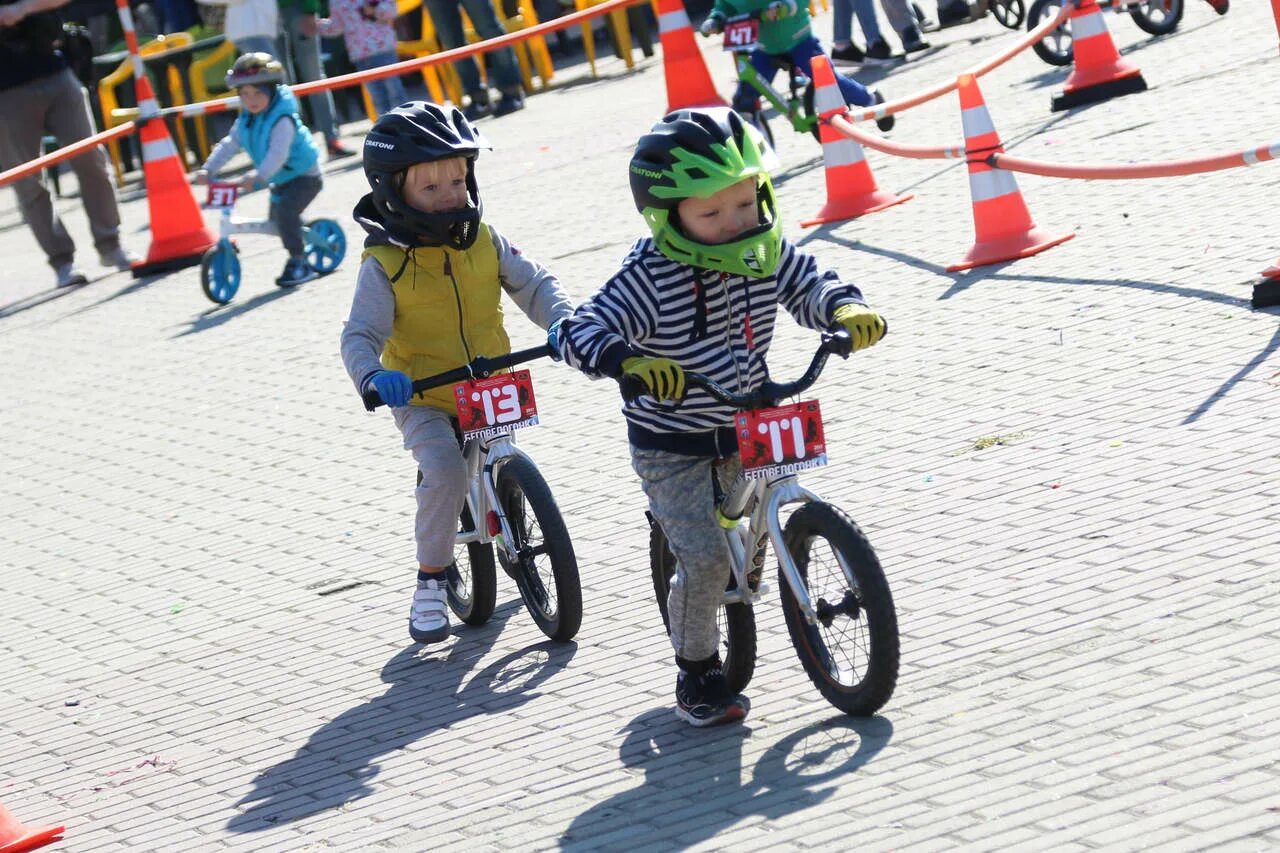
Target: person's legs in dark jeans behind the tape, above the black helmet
[502,63]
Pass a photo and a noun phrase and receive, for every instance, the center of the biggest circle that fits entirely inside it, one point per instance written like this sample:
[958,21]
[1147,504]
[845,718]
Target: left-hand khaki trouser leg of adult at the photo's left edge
[25,111]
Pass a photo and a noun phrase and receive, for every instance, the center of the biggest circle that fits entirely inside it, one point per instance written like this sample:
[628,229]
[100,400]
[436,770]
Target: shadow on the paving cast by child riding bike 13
[339,761]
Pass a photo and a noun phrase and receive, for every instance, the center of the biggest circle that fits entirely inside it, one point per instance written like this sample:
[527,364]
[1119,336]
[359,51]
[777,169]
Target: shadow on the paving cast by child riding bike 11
[698,774]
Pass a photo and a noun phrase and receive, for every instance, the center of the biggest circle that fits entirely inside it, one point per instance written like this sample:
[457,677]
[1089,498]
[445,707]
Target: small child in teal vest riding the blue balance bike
[285,156]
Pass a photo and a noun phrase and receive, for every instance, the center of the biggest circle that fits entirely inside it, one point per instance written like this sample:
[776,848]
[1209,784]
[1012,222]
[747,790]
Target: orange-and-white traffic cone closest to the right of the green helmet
[852,189]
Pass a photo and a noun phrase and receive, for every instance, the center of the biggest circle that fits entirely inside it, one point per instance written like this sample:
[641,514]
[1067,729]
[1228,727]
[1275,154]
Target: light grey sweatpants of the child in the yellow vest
[429,437]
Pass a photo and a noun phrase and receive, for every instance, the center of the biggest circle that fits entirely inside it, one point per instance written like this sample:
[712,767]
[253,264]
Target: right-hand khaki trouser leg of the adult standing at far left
[71,121]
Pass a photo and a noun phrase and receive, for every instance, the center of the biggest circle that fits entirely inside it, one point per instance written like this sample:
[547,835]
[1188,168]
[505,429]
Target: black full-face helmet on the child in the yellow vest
[423,133]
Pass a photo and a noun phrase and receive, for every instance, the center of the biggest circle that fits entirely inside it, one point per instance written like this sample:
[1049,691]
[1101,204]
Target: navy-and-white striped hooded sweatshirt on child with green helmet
[707,322]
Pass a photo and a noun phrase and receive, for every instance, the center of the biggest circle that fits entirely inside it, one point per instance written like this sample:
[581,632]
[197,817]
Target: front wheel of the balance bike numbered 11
[852,653]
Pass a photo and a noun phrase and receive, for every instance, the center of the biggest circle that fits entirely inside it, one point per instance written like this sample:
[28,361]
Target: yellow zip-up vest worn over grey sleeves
[449,311]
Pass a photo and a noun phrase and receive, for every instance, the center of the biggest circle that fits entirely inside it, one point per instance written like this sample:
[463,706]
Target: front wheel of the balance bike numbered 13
[546,568]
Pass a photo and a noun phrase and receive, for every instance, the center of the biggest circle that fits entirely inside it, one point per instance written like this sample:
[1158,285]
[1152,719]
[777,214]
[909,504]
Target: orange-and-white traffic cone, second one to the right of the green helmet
[1000,217]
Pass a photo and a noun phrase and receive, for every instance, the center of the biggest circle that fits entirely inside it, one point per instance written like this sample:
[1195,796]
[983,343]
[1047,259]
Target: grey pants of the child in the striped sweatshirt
[682,499]
